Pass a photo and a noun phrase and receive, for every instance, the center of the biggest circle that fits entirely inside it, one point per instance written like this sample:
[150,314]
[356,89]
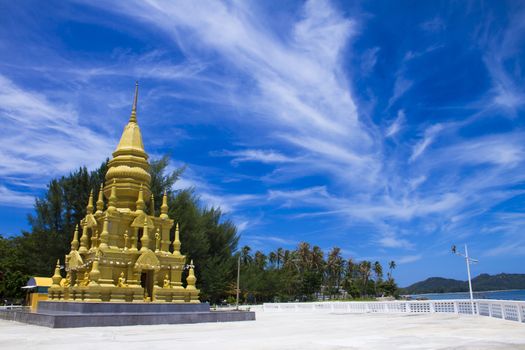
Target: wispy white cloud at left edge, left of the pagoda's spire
[43,138]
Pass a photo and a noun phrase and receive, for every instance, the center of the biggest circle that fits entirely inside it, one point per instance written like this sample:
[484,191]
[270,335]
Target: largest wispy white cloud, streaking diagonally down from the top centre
[298,87]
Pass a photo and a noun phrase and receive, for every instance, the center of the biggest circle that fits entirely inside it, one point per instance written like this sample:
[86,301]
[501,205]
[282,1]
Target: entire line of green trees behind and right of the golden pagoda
[206,237]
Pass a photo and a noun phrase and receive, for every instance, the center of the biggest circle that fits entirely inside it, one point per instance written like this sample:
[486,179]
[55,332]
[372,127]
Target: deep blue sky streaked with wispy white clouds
[392,129]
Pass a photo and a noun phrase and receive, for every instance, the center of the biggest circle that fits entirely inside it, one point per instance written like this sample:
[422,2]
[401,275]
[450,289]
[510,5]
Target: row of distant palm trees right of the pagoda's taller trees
[306,274]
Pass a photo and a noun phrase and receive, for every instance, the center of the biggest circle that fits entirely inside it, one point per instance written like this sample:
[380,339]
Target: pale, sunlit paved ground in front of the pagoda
[283,331]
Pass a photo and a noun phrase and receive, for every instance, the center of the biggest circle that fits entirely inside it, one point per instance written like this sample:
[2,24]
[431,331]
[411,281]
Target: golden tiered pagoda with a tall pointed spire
[123,254]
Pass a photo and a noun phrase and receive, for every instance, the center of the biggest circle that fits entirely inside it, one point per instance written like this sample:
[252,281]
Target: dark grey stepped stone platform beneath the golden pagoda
[83,314]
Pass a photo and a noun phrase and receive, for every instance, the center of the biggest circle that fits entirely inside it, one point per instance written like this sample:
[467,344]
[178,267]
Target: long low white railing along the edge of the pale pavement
[502,309]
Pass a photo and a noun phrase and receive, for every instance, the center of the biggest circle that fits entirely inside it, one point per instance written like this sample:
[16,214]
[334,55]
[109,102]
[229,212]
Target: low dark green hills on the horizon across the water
[483,282]
